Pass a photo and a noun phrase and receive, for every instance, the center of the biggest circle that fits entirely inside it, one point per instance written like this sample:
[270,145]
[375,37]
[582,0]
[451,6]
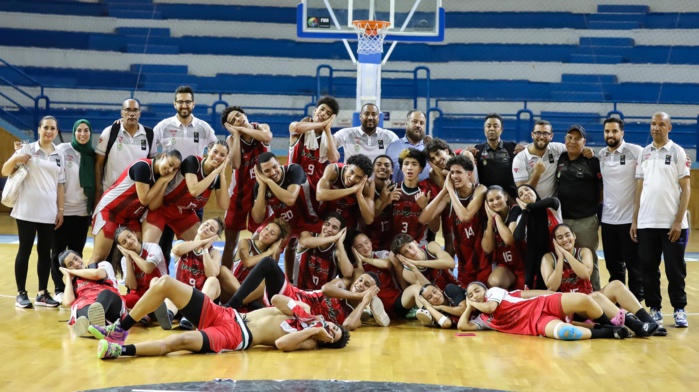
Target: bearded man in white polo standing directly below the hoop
[367,139]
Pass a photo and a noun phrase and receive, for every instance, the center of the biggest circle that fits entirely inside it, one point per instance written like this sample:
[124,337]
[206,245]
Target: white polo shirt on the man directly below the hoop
[355,141]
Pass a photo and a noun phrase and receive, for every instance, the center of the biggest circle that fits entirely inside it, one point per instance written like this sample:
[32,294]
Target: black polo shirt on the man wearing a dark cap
[579,186]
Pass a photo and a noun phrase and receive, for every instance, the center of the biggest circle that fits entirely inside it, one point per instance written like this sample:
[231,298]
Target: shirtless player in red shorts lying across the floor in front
[219,328]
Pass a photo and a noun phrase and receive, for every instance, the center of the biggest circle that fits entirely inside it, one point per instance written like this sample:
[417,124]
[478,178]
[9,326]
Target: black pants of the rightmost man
[652,244]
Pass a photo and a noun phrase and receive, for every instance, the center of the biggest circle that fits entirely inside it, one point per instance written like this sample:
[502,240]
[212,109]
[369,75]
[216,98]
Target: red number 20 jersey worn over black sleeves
[301,214]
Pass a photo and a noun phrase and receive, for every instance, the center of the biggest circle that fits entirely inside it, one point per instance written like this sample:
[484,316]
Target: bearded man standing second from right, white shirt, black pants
[618,163]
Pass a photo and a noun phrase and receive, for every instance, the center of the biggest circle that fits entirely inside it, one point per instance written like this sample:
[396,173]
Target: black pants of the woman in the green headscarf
[71,235]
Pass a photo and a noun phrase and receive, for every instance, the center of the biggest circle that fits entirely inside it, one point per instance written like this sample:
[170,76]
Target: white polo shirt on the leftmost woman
[39,191]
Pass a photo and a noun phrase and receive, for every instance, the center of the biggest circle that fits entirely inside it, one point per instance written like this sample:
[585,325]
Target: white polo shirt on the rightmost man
[661,169]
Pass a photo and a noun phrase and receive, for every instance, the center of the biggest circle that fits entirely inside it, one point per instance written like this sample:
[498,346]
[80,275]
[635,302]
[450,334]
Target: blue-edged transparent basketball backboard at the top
[411,20]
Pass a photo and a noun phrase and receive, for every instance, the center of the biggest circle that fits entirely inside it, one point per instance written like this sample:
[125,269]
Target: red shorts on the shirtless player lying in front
[224,327]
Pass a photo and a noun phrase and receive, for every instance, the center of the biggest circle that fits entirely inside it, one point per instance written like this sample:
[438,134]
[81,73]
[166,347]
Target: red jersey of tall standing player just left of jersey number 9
[243,178]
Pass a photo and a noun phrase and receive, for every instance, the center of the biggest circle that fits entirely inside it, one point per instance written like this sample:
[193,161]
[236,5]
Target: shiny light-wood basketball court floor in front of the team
[38,352]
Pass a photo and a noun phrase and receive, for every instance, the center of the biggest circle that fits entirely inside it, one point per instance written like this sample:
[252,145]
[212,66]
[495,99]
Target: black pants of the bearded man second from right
[621,254]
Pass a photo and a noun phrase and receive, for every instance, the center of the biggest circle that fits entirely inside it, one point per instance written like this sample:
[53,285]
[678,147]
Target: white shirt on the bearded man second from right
[619,178]
